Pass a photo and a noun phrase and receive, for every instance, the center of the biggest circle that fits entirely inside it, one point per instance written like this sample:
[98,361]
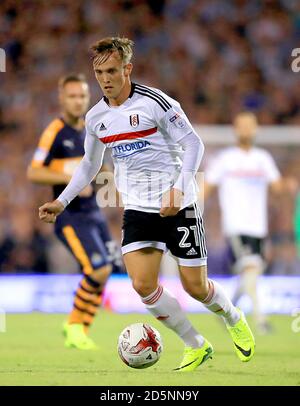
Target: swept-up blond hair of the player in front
[102,49]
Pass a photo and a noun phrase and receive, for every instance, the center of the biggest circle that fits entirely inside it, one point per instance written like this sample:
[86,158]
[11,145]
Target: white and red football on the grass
[140,345]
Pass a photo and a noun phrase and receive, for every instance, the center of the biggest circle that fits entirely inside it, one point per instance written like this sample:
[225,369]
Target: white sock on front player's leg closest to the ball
[165,307]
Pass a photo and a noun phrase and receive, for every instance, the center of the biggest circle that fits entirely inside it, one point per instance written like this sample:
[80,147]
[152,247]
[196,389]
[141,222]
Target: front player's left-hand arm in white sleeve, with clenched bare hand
[82,177]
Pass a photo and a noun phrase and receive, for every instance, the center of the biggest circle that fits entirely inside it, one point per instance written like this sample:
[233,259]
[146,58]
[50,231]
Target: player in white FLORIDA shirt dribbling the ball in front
[156,154]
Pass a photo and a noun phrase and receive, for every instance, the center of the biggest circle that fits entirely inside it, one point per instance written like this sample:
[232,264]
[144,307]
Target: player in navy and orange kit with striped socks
[82,227]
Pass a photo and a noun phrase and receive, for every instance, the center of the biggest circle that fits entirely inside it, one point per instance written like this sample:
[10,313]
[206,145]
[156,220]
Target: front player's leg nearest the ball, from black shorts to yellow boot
[142,247]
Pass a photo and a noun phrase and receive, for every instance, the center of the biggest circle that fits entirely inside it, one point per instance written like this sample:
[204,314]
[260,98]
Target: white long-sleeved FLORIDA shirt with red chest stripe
[154,148]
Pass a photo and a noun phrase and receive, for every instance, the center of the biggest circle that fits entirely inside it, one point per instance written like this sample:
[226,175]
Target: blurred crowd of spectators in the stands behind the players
[216,57]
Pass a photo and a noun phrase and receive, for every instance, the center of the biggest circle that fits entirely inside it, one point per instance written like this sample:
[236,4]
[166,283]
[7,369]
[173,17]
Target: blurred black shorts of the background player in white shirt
[245,251]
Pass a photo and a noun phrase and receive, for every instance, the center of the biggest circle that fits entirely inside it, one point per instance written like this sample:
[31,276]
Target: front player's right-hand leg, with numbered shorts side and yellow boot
[187,243]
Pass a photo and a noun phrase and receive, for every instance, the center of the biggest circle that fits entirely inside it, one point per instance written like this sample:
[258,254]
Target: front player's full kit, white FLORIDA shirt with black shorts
[154,148]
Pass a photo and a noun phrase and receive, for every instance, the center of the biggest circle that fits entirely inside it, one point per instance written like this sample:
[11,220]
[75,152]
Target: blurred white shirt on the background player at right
[242,178]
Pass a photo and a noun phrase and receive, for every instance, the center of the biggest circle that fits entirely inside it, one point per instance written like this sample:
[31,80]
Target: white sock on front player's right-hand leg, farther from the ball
[218,302]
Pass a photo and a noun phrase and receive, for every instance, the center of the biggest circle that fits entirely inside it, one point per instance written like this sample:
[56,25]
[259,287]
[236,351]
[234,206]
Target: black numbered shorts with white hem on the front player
[182,234]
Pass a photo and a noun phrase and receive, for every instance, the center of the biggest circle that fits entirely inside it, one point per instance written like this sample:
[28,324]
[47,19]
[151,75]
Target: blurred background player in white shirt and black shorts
[243,175]
